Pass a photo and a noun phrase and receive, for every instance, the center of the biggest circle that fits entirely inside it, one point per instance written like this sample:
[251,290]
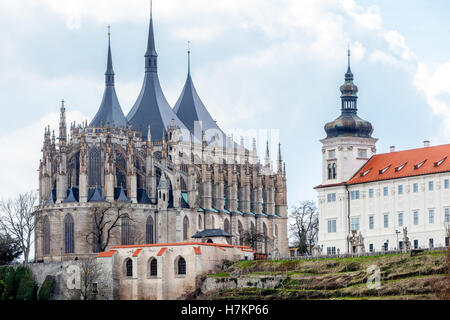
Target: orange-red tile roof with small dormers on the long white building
[402,164]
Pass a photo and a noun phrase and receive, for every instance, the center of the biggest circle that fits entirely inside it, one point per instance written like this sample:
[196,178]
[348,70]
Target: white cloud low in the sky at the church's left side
[20,163]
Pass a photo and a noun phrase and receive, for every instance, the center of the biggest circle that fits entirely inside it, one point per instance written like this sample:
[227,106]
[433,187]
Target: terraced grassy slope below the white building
[402,277]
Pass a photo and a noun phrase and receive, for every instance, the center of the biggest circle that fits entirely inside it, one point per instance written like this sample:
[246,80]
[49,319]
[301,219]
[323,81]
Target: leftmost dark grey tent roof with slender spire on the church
[110,111]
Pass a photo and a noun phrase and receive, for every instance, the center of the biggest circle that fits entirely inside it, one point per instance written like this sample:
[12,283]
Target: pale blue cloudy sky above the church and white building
[262,65]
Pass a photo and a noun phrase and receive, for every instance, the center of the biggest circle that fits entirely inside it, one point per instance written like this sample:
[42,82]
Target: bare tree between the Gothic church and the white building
[304,226]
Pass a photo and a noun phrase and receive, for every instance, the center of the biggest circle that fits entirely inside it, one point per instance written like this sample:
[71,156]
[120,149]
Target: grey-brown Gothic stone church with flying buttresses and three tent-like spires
[167,175]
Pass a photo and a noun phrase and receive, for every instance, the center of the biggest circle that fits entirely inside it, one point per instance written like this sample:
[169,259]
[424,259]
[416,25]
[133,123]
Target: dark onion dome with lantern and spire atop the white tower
[348,123]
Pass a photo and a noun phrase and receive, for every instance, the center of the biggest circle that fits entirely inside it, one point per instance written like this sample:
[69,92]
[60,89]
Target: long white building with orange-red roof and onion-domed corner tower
[378,202]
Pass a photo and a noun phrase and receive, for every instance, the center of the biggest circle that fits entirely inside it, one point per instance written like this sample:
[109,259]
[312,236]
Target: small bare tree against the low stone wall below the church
[90,273]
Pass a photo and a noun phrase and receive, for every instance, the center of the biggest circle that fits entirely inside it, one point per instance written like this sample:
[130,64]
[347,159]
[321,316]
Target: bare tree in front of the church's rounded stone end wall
[106,219]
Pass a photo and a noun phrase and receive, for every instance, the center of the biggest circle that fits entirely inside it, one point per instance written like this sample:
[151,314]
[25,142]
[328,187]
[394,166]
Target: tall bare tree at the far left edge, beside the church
[17,218]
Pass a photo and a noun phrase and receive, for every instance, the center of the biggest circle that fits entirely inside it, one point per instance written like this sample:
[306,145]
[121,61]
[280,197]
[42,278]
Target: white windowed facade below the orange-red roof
[378,209]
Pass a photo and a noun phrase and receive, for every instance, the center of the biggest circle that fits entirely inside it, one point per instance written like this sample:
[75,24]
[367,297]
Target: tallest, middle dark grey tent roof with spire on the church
[151,108]
